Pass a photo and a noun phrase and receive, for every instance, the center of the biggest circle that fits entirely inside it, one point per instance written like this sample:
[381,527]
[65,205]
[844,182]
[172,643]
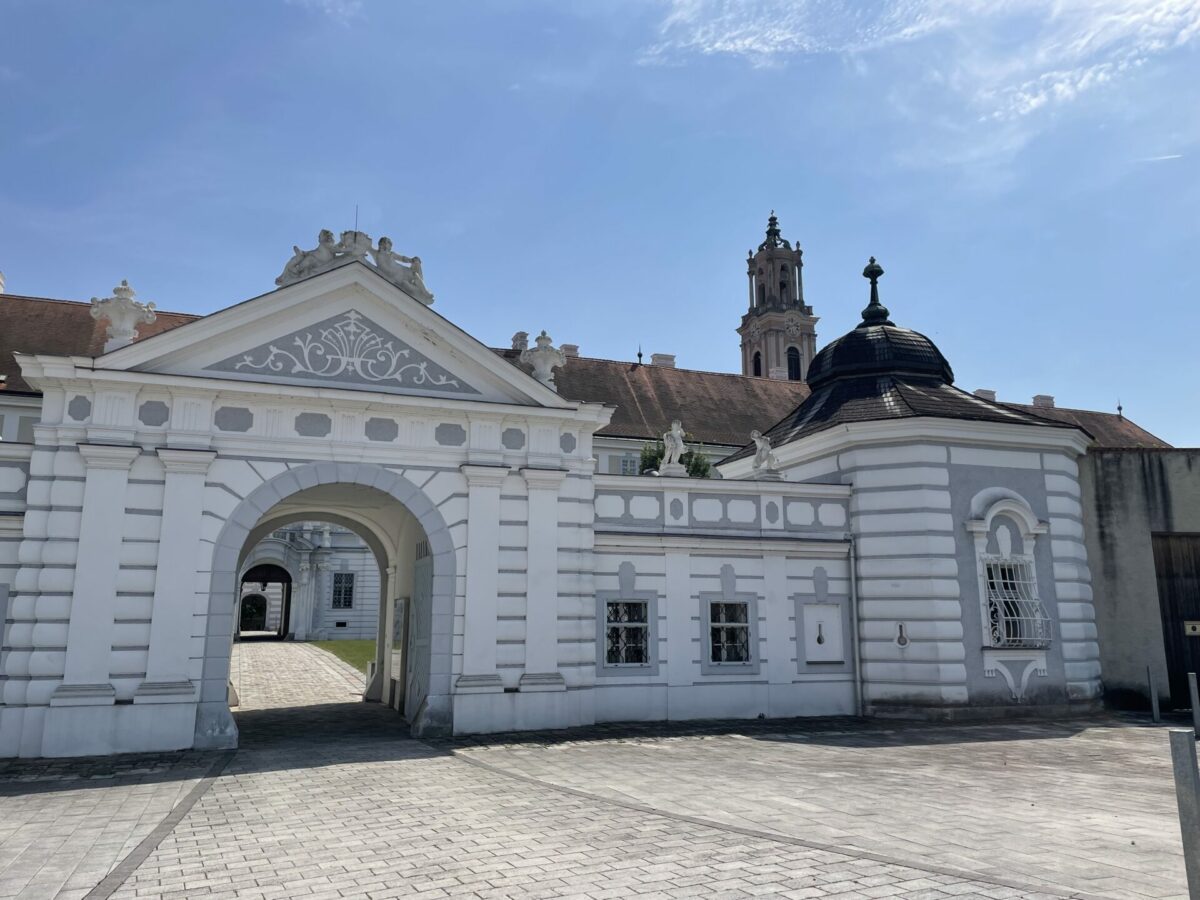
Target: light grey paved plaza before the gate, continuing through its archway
[328,799]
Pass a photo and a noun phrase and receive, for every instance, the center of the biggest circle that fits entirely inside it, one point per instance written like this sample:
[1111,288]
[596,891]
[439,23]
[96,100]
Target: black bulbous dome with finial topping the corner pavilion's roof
[879,347]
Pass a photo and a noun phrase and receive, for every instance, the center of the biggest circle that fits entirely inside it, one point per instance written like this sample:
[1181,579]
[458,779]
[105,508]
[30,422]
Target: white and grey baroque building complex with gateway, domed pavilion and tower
[886,544]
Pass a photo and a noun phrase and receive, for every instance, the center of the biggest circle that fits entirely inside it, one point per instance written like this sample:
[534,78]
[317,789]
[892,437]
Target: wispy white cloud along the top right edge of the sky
[1004,59]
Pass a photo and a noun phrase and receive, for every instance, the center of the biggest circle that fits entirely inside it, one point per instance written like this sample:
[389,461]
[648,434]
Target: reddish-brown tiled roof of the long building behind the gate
[715,407]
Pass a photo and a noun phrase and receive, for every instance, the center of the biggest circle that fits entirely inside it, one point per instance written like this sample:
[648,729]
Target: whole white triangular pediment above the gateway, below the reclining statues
[346,329]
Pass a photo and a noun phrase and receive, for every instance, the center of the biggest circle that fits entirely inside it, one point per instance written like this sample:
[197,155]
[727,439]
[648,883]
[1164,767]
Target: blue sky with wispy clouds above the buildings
[1027,172]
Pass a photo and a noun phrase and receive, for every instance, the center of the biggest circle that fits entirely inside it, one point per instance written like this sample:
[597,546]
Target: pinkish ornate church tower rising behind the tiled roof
[779,338]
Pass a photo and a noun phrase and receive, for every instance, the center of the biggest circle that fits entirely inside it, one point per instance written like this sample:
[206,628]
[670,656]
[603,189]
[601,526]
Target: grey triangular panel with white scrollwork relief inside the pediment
[349,349]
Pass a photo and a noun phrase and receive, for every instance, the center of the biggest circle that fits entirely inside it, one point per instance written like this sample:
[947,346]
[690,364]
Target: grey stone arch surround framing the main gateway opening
[214,723]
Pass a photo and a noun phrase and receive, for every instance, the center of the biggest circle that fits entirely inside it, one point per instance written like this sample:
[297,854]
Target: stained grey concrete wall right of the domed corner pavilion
[1129,496]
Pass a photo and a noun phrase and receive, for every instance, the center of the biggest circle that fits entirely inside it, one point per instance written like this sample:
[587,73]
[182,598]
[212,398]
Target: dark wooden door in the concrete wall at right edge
[1178,571]
